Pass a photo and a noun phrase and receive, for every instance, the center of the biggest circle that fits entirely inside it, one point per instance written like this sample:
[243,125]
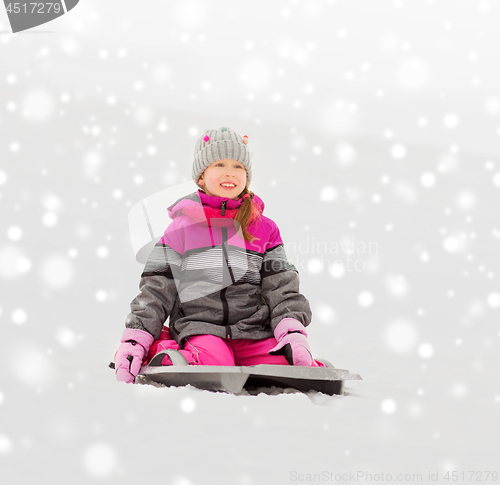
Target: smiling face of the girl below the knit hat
[224,178]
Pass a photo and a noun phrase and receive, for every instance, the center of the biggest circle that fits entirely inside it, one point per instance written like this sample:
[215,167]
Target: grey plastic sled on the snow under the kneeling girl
[269,379]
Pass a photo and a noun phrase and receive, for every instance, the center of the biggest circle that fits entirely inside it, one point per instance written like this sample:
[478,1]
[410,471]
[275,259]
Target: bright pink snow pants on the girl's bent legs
[212,350]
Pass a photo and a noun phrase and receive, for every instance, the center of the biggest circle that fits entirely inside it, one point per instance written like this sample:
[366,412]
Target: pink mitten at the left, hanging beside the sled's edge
[130,354]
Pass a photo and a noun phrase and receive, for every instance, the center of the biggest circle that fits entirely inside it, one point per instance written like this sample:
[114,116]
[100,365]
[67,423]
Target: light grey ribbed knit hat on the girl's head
[218,144]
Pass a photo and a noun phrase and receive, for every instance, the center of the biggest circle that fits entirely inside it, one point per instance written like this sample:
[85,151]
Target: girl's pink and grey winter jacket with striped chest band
[209,280]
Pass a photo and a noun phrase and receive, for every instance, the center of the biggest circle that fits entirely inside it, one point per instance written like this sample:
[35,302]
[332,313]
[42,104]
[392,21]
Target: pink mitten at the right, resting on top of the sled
[292,343]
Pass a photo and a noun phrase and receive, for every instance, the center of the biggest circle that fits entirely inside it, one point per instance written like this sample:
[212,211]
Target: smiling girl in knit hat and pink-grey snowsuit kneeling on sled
[220,273]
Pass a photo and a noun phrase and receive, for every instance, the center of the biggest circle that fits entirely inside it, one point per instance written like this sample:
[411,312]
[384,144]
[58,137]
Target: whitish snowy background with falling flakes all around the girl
[375,128]
